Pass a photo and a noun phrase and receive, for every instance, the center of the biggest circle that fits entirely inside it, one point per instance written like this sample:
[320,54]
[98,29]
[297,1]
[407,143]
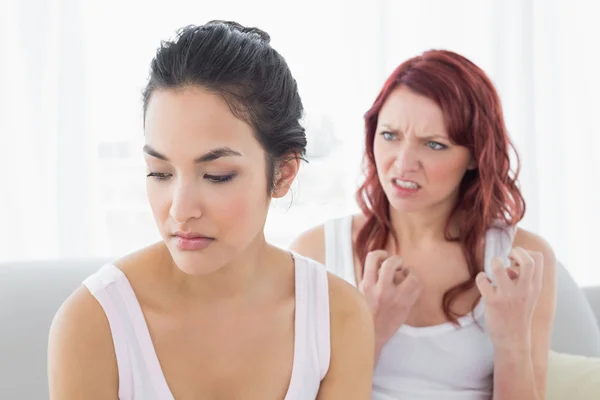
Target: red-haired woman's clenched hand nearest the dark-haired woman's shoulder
[391,290]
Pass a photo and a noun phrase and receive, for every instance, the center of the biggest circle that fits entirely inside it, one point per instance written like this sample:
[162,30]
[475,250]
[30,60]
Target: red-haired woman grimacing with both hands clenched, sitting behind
[463,299]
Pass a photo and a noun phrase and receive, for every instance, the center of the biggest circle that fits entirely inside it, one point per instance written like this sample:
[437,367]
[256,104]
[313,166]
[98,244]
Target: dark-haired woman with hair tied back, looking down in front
[213,311]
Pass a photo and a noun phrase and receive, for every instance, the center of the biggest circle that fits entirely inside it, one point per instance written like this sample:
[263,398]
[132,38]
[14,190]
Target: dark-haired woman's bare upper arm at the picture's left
[81,356]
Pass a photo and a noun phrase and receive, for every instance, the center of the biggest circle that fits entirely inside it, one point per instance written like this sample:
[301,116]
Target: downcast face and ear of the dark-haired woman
[207,178]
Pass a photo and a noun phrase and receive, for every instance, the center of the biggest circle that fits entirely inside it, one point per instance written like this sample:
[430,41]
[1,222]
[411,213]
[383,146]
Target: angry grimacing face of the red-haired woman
[418,166]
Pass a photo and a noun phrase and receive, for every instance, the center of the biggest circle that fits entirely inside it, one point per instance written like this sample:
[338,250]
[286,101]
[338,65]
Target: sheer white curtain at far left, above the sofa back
[44,203]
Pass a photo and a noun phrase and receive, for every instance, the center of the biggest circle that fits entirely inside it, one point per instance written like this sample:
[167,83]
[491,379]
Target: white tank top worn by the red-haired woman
[440,362]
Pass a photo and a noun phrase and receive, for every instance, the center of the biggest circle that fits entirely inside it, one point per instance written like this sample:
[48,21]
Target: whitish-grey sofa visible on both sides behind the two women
[30,294]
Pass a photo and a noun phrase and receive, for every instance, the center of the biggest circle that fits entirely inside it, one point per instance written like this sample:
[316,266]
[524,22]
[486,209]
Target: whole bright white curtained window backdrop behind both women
[71,73]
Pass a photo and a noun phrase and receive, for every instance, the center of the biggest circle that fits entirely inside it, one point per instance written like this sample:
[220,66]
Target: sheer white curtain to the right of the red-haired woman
[547,63]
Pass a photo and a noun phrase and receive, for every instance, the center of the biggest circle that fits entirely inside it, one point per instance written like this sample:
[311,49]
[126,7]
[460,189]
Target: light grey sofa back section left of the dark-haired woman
[30,295]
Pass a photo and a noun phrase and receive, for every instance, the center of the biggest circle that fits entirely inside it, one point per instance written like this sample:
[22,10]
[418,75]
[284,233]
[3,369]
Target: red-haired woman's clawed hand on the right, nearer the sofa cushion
[509,305]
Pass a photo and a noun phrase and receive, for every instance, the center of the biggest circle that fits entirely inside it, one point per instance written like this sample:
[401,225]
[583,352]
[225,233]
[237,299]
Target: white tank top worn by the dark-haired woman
[140,374]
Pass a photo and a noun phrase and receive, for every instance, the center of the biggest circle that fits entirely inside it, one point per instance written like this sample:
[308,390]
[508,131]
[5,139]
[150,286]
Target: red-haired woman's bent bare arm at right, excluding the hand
[521,365]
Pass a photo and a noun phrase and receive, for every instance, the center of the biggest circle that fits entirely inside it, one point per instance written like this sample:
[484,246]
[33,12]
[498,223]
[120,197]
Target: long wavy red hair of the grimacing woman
[474,119]
